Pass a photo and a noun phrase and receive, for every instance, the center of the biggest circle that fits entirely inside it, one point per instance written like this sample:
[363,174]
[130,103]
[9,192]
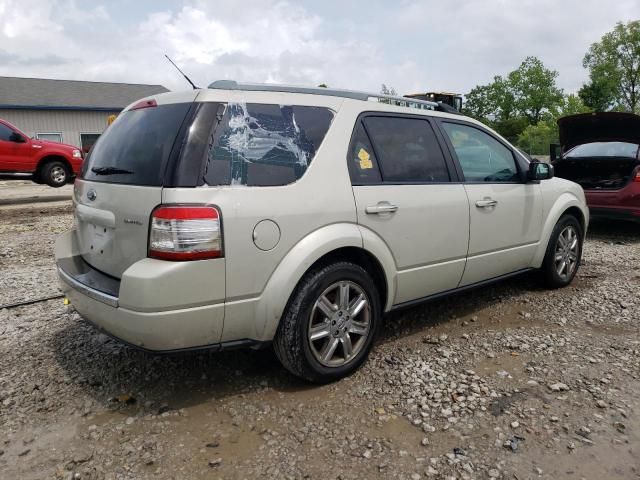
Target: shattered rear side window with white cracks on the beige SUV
[265,144]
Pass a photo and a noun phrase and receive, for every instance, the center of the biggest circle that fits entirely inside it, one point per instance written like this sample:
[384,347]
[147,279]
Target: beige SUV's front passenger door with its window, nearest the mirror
[505,209]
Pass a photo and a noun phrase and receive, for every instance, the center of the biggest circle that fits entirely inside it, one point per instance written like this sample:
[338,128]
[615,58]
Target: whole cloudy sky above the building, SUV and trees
[410,45]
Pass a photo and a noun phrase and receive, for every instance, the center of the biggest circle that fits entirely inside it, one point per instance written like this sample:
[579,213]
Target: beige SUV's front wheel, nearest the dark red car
[564,251]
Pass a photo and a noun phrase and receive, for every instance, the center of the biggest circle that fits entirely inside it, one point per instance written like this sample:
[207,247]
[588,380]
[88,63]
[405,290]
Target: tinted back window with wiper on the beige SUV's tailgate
[135,148]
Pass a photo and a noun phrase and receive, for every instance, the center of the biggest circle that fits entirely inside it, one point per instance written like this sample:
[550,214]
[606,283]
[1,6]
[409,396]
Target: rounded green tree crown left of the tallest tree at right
[534,89]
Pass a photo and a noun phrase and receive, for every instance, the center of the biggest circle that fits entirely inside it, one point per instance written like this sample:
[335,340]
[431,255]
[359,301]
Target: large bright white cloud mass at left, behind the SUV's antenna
[264,41]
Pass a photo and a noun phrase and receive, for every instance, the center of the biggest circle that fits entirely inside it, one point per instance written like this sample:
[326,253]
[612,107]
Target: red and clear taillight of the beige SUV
[185,232]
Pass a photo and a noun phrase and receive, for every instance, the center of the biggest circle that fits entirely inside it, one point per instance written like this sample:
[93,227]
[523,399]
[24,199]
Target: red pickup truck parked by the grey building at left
[49,162]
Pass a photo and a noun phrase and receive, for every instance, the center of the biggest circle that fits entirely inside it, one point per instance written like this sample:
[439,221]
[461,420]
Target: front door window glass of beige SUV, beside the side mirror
[482,157]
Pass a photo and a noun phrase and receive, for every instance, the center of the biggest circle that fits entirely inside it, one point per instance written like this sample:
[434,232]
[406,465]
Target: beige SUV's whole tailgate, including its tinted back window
[122,181]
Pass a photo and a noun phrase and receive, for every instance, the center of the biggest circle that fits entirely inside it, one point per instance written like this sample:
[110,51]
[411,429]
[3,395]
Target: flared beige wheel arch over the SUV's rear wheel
[338,242]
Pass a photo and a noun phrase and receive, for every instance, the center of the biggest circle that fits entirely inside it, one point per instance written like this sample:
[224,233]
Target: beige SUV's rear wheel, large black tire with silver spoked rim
[330,323]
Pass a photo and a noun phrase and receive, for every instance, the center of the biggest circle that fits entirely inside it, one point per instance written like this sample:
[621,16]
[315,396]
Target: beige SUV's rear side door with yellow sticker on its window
[404,189]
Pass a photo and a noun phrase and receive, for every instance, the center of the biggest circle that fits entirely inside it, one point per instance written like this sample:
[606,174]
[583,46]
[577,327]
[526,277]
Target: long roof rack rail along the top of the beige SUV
[332,92]
